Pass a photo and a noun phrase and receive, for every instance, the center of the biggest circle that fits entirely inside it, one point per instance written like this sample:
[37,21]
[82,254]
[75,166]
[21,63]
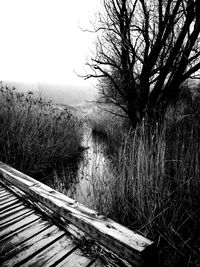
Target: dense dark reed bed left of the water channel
[35,135]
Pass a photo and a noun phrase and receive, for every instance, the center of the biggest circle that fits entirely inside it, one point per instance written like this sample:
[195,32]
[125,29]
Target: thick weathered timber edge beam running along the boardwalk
[136,249]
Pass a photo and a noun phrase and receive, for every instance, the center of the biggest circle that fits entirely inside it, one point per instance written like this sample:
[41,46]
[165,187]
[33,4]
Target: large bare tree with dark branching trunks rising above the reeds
[145,50]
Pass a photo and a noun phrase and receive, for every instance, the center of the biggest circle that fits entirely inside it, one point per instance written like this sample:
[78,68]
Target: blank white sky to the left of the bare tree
[41,40]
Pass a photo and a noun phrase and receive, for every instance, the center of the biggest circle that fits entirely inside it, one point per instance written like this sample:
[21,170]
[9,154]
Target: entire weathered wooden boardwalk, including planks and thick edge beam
[41,227]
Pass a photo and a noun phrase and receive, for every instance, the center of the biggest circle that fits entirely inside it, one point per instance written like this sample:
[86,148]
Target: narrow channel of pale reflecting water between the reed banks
[83,178]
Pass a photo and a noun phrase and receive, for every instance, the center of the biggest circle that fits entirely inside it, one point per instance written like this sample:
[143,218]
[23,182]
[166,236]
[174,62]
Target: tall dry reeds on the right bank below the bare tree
[156,183]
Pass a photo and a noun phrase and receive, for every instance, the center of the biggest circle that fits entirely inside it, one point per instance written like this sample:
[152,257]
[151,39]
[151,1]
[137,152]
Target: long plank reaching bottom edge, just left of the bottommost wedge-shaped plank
[52,254]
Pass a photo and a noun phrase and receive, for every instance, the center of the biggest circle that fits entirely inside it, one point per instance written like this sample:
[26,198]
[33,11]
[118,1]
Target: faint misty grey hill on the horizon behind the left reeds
[59,94]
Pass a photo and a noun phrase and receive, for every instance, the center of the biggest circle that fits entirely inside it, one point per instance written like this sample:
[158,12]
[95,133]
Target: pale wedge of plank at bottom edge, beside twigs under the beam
[75,259]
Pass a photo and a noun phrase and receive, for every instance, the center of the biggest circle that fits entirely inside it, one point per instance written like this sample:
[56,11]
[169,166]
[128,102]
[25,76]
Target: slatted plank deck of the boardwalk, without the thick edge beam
[29,239]
